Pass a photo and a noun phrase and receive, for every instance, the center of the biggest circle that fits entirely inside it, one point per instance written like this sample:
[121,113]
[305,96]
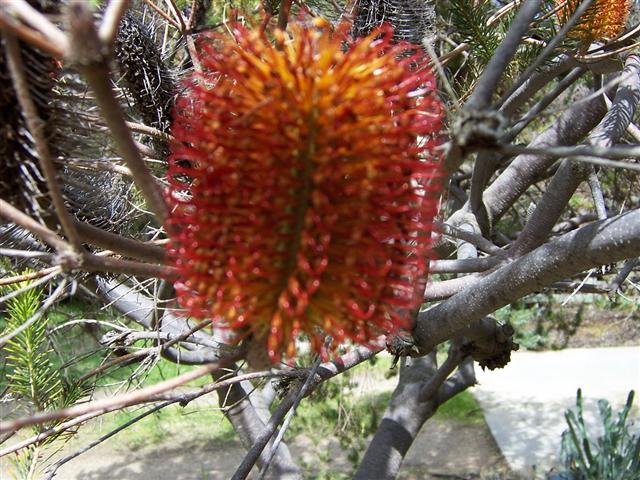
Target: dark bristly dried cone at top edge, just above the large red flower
[412,20]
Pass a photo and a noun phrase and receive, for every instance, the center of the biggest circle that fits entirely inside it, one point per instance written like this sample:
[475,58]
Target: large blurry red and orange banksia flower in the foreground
[304,184]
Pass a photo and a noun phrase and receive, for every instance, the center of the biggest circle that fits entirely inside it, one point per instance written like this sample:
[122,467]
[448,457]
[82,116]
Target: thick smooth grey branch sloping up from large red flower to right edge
[598,243]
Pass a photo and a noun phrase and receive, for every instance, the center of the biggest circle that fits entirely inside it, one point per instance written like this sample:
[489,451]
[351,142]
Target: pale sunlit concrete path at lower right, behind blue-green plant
[524,403]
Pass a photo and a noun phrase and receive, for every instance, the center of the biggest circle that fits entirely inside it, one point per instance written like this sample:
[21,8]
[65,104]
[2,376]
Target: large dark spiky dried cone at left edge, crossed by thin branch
[74,138]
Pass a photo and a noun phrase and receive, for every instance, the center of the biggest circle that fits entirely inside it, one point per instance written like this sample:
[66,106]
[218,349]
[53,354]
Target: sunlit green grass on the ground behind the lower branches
[333,411]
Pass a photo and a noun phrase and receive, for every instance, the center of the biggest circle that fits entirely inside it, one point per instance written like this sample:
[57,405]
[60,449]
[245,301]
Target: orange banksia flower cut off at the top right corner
[603,20]
